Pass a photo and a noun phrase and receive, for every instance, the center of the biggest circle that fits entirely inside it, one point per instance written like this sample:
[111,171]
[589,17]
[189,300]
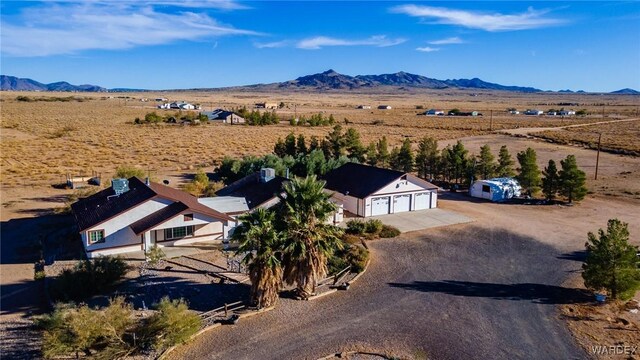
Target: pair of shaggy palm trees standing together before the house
[290,243]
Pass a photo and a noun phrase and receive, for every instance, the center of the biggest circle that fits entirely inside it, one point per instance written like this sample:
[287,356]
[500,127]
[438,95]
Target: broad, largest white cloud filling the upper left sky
[69,28]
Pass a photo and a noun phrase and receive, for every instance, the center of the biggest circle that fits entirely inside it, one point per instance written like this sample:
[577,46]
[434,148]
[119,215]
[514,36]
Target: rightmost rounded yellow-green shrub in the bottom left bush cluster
[173,324]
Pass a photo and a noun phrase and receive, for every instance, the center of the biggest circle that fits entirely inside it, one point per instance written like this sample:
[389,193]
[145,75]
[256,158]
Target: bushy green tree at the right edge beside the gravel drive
[612,263]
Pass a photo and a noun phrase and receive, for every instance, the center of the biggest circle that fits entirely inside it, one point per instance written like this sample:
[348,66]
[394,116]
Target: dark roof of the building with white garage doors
[362,180]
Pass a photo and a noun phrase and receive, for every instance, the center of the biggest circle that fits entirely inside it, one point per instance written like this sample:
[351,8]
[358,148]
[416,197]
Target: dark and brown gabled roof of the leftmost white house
[104,205]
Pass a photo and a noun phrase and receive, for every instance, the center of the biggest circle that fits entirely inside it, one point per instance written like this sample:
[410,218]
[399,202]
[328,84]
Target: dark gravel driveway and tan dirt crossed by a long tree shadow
[489,289]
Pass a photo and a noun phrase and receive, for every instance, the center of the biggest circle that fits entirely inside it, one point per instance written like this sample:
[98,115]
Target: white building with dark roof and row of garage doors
[370,191]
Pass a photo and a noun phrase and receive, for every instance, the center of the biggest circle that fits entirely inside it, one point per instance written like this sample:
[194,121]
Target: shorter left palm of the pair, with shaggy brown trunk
[261,243]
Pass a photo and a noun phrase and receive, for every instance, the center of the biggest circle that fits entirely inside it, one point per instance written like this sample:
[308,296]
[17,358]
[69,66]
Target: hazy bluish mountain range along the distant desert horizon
[328,80]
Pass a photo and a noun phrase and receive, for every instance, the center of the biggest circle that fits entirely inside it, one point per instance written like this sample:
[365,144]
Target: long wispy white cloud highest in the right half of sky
[530,19]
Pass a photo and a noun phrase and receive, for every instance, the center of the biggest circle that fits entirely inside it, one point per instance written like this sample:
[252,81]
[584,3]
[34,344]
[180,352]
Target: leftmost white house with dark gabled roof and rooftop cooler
[133,215]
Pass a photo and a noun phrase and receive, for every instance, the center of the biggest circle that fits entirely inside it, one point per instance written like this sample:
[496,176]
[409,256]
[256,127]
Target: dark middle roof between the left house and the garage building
[254,191]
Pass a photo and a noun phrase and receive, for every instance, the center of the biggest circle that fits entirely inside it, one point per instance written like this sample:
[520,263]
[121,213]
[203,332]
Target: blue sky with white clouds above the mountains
[169,44]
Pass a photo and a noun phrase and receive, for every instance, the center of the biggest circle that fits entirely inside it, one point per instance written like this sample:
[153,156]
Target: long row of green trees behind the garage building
[452,164]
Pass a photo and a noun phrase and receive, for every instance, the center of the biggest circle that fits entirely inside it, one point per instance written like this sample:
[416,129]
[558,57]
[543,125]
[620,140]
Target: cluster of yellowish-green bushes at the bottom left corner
[114,332]
